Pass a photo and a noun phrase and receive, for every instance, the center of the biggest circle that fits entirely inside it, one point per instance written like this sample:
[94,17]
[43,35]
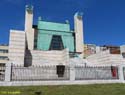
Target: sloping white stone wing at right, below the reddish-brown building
[105,58]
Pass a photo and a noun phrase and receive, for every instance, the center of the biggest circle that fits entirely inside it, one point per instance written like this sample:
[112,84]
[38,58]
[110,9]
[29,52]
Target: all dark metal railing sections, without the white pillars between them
[49,72]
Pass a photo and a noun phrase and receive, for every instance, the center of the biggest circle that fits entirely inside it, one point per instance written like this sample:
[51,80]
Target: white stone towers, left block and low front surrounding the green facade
[23,52]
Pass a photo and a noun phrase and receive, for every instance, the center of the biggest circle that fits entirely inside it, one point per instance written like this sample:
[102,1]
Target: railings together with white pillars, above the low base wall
[70,73]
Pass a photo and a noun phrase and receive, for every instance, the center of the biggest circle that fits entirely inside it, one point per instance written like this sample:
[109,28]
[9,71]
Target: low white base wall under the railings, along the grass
[37,83]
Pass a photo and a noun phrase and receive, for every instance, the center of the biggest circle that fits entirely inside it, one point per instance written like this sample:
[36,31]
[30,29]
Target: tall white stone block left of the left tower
[17,47]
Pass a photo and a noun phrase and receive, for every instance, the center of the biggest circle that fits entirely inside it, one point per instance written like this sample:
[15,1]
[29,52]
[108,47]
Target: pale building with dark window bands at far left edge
[3,54]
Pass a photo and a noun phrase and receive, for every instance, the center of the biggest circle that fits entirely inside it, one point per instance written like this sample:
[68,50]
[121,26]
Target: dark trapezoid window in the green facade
[56,43]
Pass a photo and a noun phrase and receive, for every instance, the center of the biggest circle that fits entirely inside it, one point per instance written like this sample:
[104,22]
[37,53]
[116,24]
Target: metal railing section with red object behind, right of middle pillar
[96,73]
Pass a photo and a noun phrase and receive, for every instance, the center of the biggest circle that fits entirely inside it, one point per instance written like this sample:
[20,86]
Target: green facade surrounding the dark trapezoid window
[45,35]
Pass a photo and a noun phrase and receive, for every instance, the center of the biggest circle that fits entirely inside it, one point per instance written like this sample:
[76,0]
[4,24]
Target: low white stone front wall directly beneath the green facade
[49,57]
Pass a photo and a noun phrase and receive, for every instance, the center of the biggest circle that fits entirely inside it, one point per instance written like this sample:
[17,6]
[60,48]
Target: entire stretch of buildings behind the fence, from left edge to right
[55,43]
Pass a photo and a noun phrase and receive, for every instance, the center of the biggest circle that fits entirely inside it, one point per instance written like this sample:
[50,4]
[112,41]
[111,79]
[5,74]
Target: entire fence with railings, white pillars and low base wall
[42,75]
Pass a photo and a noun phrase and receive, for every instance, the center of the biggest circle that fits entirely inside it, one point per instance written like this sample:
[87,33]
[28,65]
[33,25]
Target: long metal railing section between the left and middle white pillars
[37,73]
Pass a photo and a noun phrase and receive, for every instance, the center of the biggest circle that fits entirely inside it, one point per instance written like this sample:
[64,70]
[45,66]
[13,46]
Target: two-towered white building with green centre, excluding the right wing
[46,42]
